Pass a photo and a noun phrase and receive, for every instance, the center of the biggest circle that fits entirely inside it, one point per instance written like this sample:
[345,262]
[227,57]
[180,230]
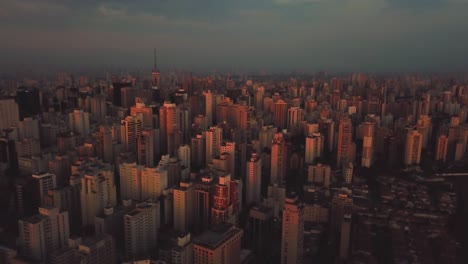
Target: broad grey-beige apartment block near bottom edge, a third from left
[141,229]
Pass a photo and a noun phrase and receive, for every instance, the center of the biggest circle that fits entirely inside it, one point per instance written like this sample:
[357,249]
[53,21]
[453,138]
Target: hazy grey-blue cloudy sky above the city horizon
[245,35]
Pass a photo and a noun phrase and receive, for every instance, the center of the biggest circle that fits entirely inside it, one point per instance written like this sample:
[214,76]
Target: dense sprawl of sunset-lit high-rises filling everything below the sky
[186,169]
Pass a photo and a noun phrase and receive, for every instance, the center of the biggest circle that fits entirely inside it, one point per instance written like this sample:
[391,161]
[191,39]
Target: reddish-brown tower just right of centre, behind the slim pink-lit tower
[278,159]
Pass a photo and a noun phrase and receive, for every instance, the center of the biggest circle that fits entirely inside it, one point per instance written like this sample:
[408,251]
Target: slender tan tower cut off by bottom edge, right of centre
[292,240]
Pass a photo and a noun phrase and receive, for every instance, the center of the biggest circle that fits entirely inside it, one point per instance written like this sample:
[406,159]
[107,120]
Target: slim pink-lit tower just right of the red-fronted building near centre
[254,179]
